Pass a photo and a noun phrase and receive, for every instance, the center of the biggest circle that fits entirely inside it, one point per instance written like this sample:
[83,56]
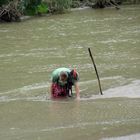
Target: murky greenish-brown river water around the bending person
[31,50]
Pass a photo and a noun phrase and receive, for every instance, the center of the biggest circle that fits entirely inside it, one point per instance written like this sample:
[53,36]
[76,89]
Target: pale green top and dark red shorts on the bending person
[59,88]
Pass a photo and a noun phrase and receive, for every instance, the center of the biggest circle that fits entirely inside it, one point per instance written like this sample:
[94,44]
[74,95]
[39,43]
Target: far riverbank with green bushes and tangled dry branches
[12,11]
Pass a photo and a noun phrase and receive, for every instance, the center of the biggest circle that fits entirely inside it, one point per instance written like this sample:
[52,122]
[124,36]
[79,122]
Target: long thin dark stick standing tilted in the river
[95,71]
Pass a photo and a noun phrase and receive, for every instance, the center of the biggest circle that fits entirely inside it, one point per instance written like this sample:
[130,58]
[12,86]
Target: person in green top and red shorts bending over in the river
[62,81]
